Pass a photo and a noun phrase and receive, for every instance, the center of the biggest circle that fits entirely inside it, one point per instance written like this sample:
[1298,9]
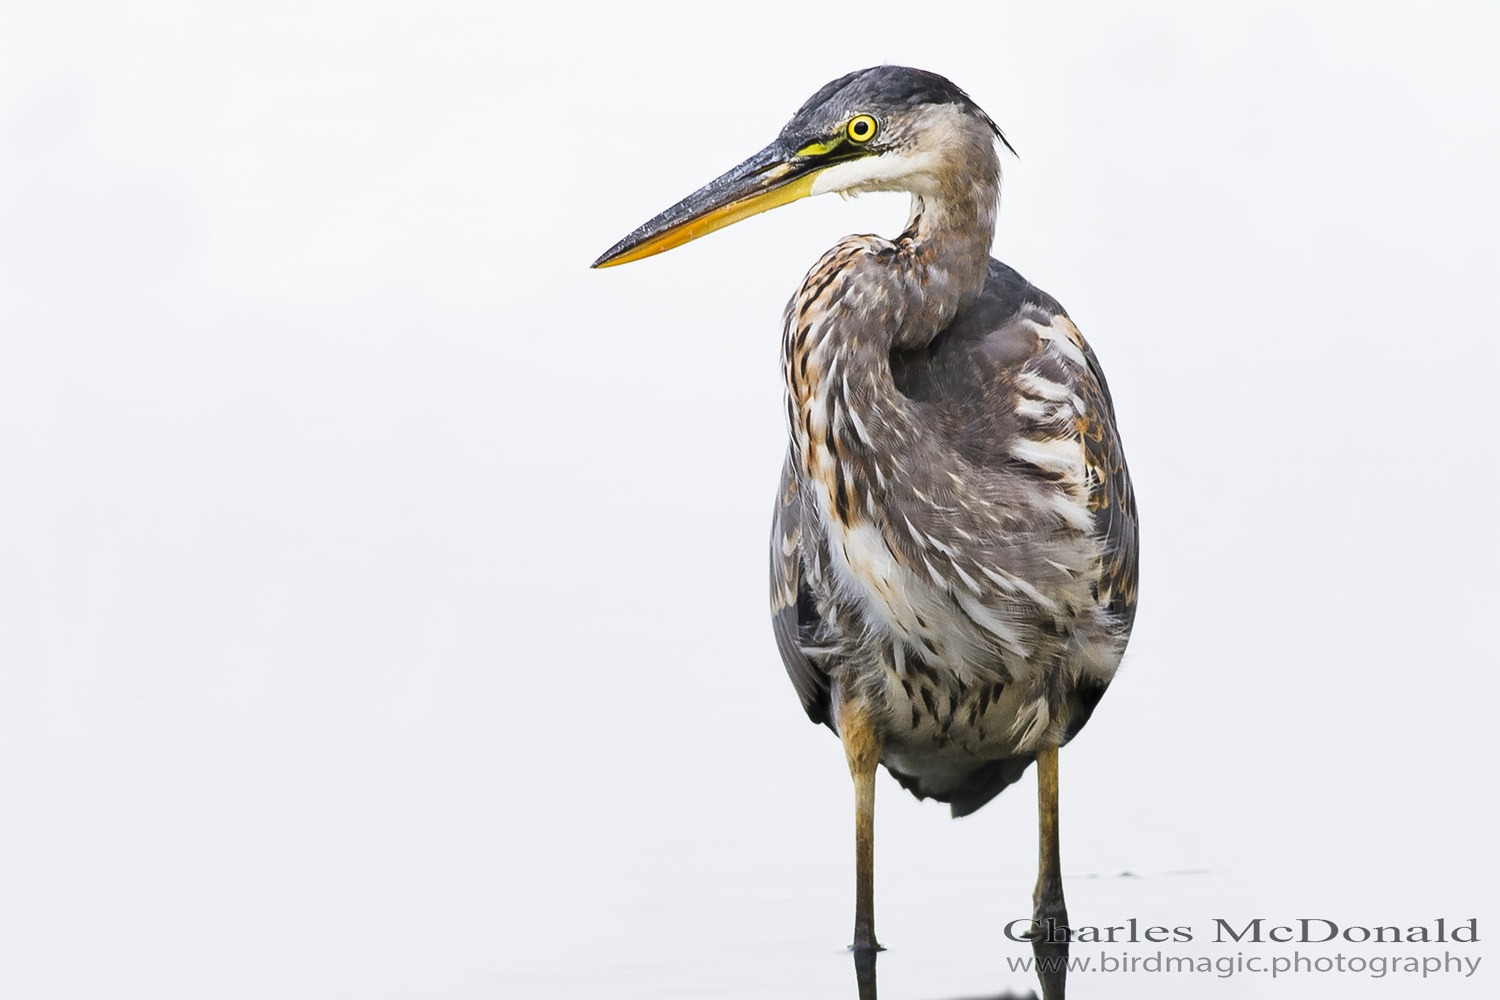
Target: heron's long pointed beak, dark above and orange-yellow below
[773,178]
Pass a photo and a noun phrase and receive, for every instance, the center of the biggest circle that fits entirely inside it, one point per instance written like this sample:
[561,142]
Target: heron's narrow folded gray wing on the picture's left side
[794,614]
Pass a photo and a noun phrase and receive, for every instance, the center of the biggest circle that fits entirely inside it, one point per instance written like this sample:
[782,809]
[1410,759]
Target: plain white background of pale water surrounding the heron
[382,591]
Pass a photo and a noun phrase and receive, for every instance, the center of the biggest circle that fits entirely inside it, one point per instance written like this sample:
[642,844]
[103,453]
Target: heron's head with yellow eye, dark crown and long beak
[887,128]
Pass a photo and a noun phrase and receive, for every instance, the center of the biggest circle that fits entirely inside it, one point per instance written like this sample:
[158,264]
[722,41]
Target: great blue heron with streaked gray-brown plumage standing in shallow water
[953,558]
